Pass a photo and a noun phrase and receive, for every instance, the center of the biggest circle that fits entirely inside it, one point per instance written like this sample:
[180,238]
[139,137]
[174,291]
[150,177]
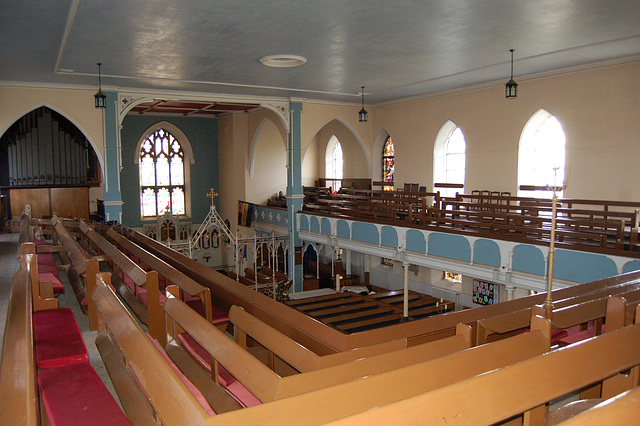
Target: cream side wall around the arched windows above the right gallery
[598,110]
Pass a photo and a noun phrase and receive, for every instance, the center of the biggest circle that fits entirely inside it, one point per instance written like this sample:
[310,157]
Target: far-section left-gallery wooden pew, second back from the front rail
[147,281]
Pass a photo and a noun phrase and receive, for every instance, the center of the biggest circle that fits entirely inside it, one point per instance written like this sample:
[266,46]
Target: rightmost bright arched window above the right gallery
[541,155]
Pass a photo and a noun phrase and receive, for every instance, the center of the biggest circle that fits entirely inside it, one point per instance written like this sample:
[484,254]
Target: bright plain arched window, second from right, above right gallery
[449,158]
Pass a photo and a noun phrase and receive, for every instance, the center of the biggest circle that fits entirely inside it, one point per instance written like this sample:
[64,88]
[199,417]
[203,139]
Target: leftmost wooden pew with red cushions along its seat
[49,351]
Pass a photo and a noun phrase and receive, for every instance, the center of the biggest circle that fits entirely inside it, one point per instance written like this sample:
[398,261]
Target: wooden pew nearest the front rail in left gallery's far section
[171,275]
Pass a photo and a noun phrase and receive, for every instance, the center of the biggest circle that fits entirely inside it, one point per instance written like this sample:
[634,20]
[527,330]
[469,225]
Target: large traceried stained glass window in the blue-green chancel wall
[162,175]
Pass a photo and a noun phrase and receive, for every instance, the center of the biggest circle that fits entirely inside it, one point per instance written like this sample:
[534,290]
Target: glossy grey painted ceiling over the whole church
[397,49]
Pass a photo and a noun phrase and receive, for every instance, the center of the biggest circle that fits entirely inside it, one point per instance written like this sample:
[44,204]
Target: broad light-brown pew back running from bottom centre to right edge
[514,390]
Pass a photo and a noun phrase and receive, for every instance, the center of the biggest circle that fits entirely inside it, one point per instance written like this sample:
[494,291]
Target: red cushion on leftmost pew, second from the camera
[57,339]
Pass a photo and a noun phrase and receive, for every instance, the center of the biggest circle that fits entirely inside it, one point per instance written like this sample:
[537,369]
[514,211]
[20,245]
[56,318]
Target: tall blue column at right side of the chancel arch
[295,196]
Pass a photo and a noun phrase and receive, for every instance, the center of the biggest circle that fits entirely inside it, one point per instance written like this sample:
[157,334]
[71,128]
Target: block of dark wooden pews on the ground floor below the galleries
[352,312]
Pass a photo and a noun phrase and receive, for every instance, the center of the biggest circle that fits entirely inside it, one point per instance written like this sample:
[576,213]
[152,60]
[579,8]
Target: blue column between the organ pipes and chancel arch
[112,194]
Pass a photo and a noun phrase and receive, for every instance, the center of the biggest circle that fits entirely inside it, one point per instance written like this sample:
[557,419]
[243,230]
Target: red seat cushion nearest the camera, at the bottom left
[75,395]
